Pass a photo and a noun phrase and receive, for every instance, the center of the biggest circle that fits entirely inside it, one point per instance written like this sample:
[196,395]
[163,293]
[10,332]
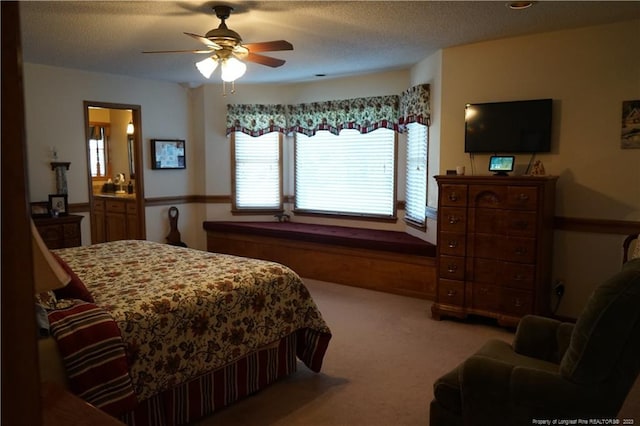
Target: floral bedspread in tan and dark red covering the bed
[183,312]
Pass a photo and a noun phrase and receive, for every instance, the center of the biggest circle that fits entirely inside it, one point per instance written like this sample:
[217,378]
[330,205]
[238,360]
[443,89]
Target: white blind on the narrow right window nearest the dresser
[416,179]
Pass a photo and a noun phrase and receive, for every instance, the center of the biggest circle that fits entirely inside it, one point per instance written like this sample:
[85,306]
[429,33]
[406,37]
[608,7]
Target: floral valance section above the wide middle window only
[362,114]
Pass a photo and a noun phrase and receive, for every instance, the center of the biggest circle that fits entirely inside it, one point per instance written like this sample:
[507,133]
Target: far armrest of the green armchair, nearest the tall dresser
[536,337]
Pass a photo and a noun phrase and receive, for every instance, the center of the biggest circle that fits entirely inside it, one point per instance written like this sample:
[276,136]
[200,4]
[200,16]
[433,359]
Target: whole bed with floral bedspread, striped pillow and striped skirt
[163,335]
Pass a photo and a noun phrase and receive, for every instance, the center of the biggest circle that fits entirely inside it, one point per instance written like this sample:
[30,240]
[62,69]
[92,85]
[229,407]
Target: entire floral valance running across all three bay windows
[363,114]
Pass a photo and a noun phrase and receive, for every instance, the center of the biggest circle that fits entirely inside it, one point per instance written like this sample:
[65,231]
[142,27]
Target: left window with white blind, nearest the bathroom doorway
[257,172]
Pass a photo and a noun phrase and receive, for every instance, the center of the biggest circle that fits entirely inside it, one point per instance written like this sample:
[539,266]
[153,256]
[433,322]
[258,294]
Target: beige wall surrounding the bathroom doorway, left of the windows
[55,117]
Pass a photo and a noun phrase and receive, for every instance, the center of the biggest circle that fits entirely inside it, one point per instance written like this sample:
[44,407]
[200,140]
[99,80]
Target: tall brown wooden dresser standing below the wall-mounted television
[495,240]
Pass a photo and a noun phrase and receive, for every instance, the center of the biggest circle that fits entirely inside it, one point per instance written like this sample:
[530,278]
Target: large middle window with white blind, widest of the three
[349,174]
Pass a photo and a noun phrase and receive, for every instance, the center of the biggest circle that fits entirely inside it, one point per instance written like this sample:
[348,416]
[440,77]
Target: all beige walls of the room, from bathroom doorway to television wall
[588,72]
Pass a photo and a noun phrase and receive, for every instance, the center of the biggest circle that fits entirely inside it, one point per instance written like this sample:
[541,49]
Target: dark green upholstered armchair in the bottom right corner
[553,370]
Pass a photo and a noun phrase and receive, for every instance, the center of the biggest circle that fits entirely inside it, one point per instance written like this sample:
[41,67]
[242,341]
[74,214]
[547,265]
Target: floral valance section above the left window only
[256,120]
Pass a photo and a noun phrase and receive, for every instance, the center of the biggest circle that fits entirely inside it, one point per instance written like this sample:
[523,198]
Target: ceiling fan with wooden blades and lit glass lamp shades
[225,47]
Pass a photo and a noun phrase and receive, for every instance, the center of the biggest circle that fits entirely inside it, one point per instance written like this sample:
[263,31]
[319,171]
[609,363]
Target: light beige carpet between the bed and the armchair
[382,360]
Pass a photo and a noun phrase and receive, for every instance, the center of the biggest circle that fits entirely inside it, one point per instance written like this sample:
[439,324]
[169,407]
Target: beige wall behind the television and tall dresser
[588,72]
